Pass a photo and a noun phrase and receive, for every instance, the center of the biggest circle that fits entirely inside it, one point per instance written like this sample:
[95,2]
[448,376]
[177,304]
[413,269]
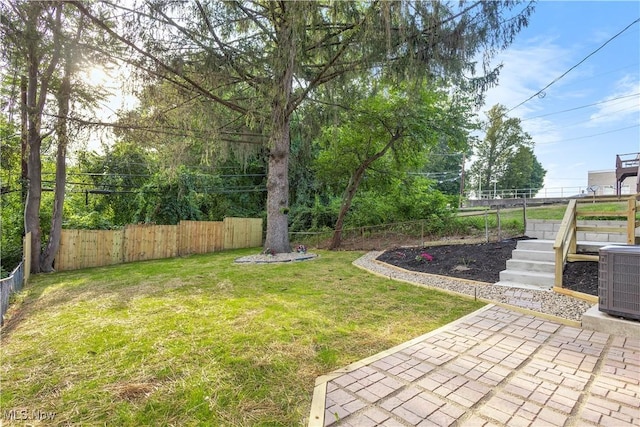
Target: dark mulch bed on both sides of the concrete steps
[483,262]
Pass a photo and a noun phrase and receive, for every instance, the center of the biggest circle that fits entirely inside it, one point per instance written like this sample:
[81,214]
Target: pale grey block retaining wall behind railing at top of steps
[548,229]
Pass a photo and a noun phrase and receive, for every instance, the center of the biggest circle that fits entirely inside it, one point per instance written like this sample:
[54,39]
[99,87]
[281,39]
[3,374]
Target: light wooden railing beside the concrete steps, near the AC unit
[566,243]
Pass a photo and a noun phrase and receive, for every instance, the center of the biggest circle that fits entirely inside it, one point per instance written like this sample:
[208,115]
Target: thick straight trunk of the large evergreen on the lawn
[277,239]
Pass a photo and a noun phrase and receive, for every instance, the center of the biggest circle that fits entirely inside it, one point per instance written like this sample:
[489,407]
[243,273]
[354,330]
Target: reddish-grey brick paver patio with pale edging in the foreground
[494,367]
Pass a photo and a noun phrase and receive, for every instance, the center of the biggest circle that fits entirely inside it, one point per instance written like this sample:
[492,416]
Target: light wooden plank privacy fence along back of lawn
[94,248]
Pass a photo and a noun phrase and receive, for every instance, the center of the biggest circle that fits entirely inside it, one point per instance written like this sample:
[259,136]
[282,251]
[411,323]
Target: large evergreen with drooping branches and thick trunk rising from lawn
[262,60]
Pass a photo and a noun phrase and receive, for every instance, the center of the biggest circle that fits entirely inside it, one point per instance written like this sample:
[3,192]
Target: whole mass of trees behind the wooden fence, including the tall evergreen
[313,115]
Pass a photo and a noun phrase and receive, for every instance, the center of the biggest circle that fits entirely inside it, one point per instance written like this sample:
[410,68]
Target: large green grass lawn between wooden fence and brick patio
[201,340]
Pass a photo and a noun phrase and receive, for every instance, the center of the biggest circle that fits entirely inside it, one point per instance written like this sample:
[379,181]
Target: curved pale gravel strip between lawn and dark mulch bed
[547,302]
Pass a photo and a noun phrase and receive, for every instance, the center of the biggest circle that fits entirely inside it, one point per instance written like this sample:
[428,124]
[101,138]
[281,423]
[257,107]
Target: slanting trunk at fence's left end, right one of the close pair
[64,94]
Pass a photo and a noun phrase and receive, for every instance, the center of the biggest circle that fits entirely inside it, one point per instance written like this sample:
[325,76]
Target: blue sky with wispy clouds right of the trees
[559,36]
